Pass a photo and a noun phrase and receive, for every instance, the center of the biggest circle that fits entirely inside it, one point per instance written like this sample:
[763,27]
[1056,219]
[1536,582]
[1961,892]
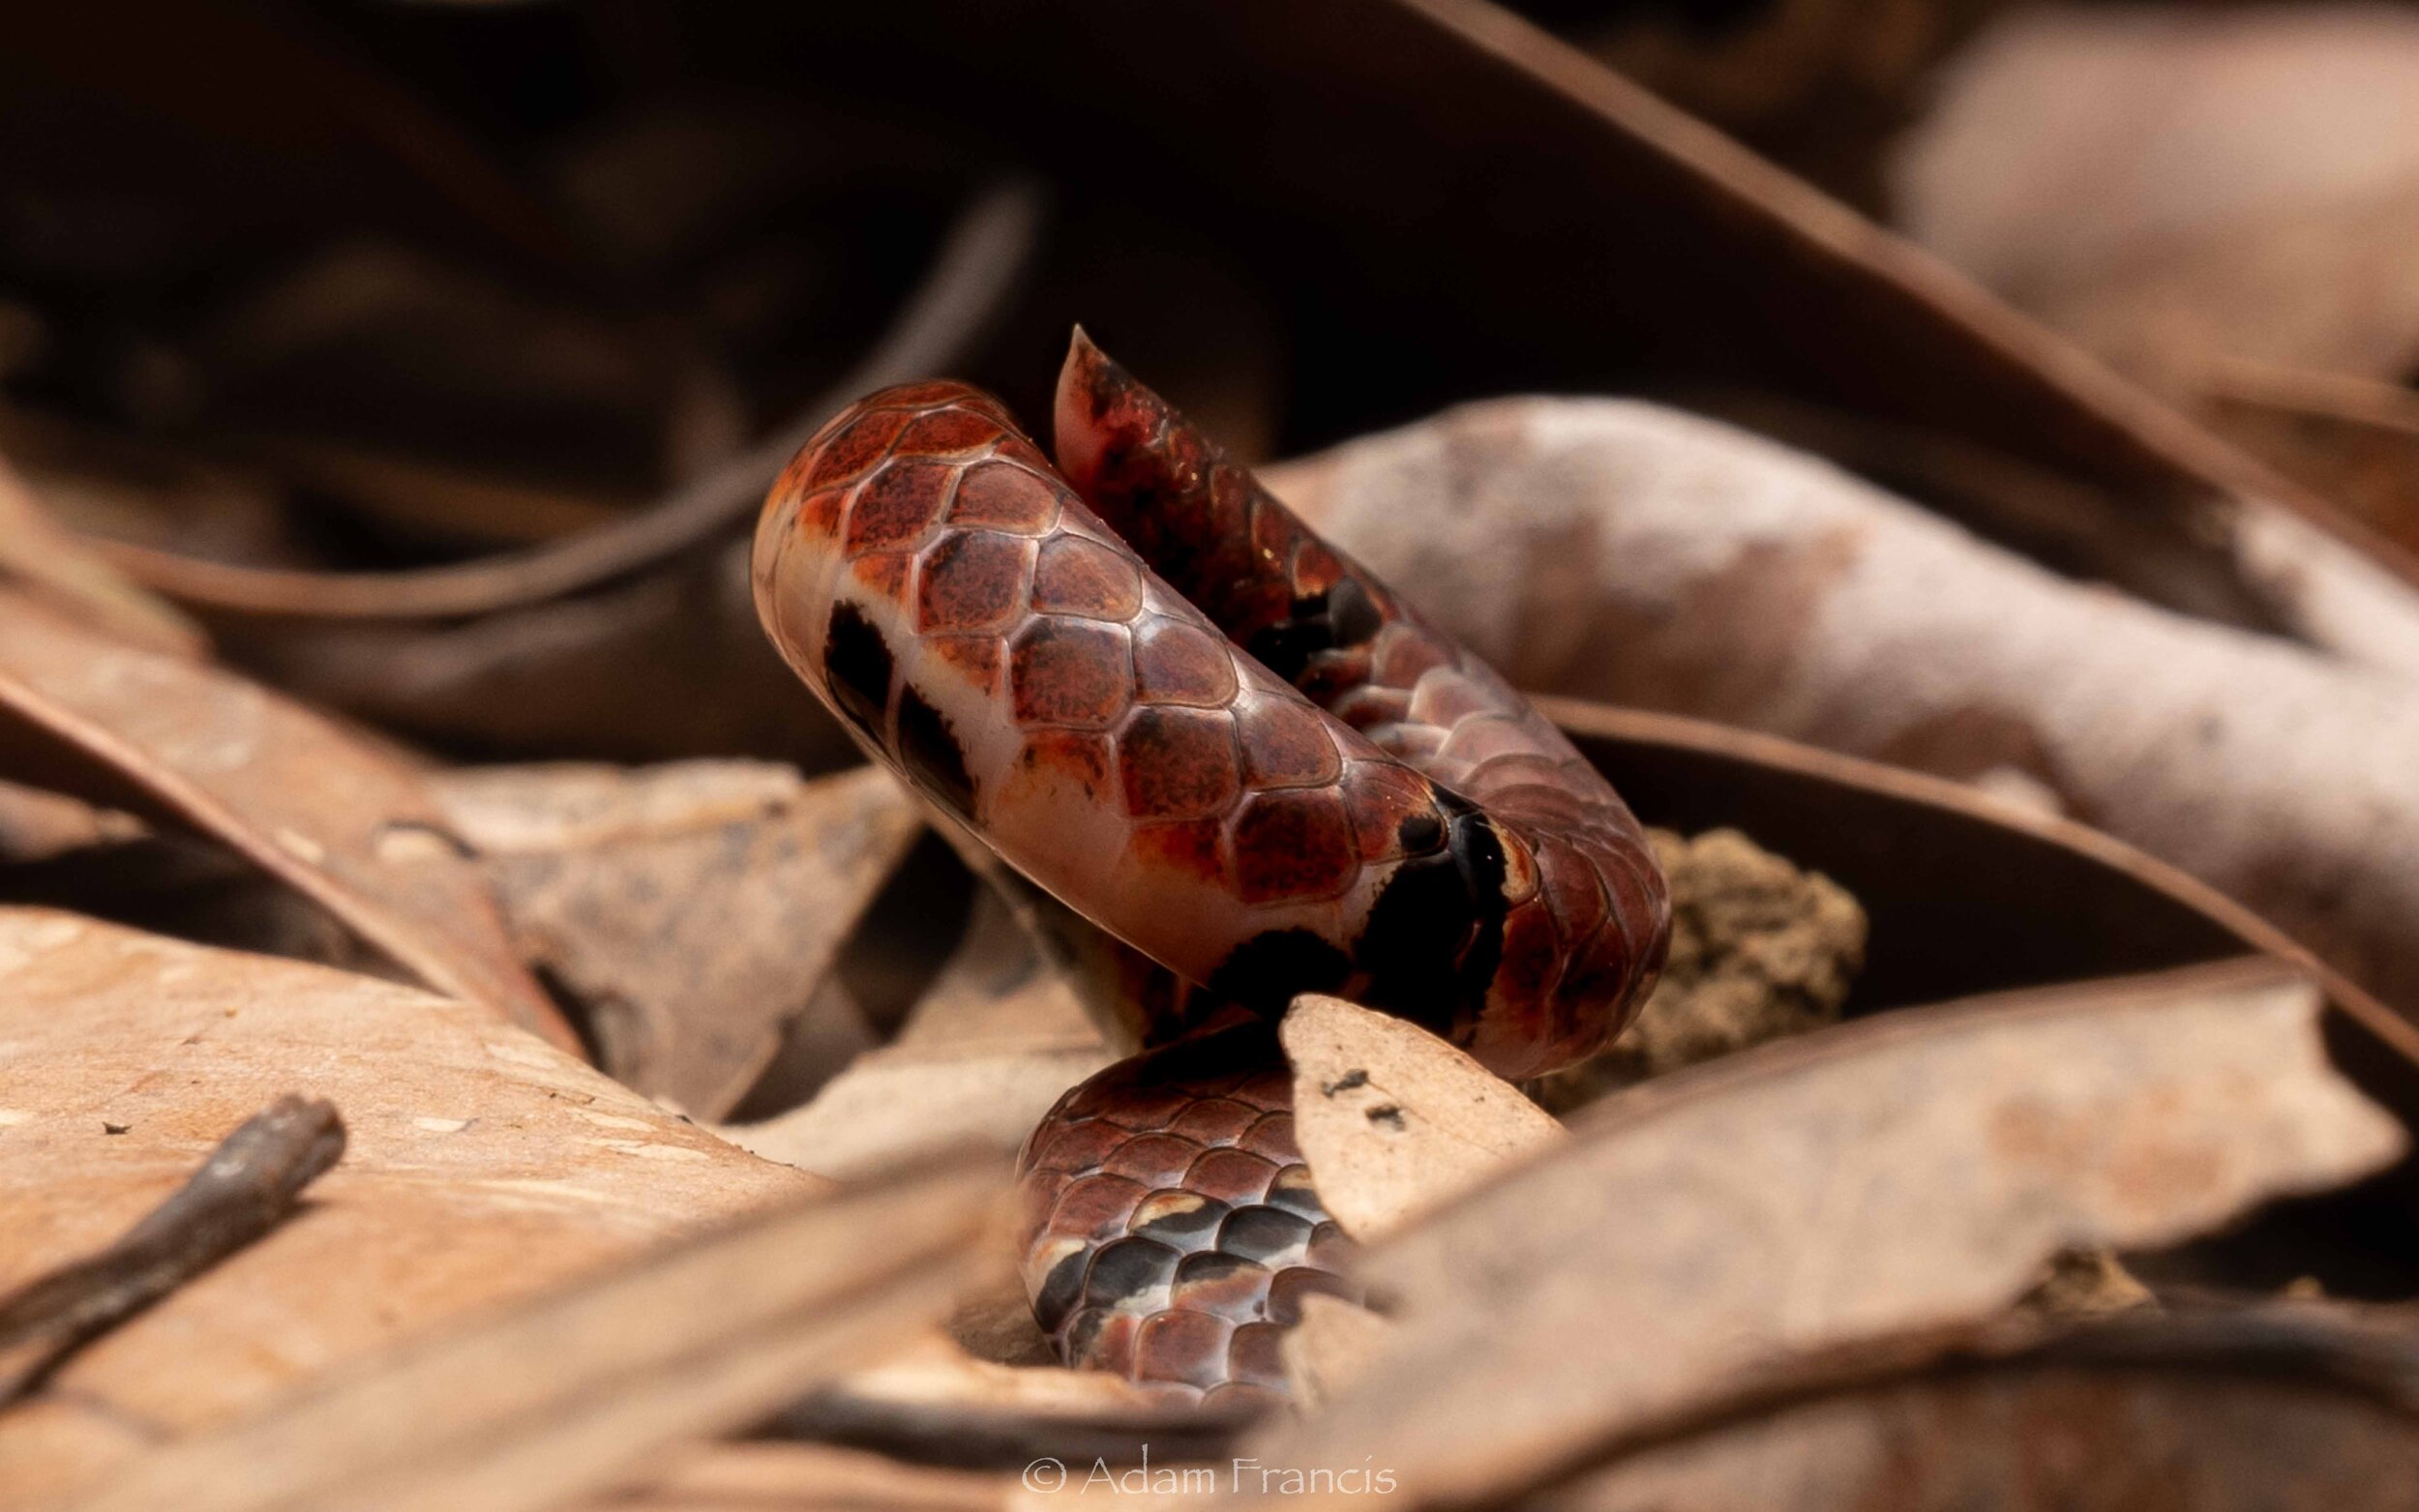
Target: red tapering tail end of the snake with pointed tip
[1581,937]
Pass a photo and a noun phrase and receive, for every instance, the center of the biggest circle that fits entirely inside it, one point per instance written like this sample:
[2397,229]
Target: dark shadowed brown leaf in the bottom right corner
[2222,1414]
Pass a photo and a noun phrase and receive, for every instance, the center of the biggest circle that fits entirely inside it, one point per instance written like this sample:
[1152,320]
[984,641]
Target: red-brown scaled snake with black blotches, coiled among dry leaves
[1230,768]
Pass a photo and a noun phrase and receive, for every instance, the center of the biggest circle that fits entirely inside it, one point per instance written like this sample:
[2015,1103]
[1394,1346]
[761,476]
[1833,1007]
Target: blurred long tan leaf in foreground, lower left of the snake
[577,1390]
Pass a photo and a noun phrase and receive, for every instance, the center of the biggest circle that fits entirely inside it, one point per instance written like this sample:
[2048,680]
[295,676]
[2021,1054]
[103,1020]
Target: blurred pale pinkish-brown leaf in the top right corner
[2178,187]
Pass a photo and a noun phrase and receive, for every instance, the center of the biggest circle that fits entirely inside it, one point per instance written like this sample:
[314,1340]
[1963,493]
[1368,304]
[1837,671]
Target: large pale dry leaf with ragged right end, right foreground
[1898,1175]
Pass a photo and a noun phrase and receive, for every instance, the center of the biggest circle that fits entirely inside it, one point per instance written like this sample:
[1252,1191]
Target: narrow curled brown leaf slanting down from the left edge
[318,809]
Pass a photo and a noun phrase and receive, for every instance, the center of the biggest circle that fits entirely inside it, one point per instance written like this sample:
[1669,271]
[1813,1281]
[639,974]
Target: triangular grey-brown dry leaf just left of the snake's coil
[691,911]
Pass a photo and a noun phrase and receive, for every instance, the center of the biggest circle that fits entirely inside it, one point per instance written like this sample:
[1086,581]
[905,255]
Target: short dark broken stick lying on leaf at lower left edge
[243,1191]
